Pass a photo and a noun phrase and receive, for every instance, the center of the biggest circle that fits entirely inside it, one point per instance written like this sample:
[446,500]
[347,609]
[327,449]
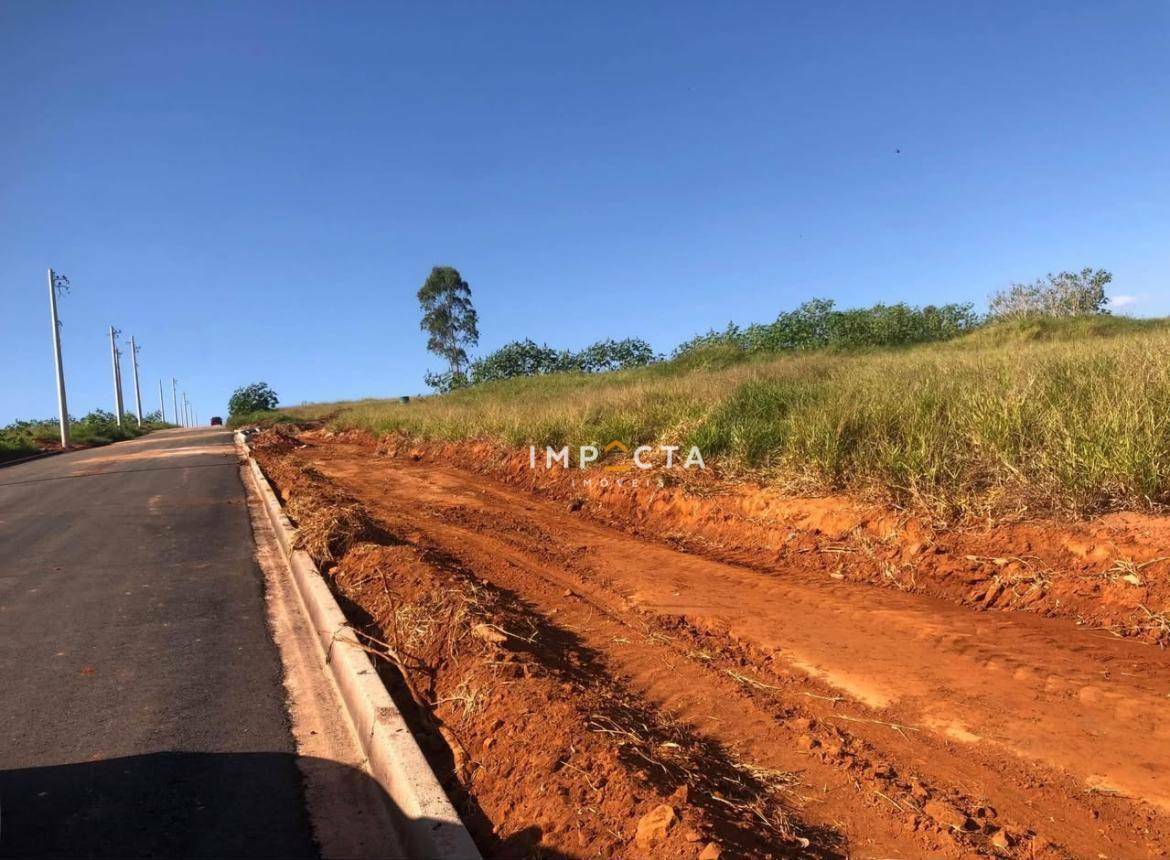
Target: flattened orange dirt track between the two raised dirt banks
[884,700]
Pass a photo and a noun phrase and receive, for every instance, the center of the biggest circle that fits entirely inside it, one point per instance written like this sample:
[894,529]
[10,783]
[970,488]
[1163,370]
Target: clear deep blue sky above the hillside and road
[258,190]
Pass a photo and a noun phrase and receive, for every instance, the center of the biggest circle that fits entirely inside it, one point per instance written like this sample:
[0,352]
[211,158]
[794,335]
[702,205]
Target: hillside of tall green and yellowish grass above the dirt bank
[1070,415]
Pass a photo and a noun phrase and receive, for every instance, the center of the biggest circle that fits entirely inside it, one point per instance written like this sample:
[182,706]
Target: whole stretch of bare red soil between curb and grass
[725,653]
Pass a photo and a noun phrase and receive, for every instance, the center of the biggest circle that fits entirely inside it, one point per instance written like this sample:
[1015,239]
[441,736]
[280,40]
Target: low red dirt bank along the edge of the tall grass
[1112,574]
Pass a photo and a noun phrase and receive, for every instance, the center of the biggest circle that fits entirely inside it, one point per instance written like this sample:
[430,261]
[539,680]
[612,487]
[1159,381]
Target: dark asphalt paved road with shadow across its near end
[142,711]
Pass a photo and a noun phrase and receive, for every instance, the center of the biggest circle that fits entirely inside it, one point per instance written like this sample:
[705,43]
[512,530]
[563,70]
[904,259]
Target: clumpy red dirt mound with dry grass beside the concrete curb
[540,746]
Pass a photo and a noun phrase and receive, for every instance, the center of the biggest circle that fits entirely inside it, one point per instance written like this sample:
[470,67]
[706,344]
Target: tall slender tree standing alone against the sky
[451,324]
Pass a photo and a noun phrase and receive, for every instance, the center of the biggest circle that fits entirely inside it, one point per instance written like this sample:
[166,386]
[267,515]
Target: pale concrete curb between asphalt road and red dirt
[433,828]
